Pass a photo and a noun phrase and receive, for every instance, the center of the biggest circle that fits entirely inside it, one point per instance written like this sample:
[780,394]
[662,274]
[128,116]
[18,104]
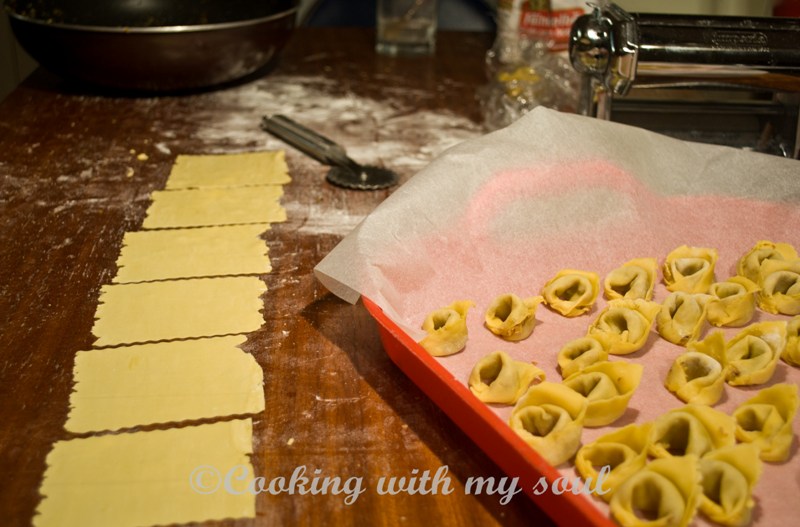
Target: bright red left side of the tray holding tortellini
[484,427]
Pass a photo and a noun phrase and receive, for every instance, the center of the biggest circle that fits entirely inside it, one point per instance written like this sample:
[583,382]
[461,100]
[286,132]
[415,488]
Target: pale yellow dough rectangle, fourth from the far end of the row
[176,309]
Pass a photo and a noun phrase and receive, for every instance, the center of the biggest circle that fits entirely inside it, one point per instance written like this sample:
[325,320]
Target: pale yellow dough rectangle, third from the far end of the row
[192,253]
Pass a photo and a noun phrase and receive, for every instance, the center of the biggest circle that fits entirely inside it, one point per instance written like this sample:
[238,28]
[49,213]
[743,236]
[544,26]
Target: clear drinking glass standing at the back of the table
[406,27]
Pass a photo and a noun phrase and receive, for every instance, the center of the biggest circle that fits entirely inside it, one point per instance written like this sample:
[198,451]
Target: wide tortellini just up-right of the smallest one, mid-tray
[624,325]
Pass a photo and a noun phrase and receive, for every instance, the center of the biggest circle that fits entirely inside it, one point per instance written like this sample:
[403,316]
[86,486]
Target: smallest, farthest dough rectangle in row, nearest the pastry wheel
[229,170]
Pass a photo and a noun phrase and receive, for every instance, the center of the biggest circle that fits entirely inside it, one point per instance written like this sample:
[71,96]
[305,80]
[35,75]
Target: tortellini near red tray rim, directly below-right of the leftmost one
[497,378]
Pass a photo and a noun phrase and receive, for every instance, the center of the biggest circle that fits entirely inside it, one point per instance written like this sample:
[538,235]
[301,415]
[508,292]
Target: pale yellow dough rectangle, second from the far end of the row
[214,206]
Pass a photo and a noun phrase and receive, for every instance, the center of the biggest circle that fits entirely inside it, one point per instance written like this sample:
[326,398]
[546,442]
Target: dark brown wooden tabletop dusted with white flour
[71,185]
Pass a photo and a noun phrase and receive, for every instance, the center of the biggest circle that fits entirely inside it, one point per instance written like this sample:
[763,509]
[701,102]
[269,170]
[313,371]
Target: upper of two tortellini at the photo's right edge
[780,287]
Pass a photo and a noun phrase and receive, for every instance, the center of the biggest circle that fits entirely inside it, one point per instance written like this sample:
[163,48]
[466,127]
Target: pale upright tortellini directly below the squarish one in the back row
[682,317]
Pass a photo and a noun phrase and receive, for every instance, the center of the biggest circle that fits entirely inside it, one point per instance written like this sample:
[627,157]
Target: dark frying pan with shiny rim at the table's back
[153,45]
